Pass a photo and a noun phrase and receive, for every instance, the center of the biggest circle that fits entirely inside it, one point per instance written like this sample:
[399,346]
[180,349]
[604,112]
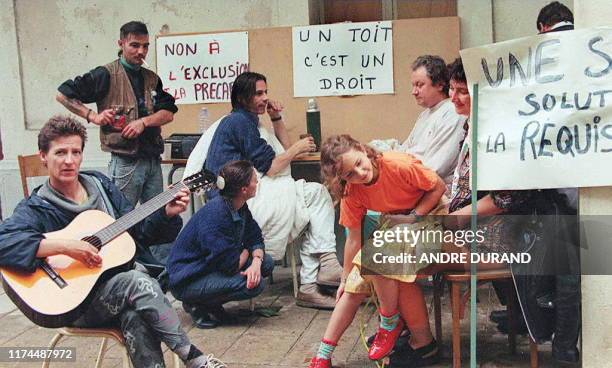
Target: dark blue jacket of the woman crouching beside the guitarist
[212,241]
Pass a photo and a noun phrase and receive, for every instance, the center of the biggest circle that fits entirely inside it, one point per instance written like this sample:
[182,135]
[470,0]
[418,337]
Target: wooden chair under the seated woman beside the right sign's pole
[456,279]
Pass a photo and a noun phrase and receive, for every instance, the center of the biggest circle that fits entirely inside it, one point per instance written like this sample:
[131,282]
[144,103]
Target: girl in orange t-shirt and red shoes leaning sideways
[392,182]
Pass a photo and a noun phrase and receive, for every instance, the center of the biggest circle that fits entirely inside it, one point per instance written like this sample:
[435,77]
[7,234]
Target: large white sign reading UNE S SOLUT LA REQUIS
[544,110]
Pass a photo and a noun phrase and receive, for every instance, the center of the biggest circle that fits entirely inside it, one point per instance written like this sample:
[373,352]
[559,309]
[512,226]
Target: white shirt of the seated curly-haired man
[435,139]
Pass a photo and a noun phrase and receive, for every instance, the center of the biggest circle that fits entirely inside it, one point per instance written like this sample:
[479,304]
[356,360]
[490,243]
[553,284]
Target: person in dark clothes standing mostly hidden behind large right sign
[549,288]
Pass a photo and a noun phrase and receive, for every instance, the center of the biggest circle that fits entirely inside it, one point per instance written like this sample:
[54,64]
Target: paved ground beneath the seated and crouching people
[287,340]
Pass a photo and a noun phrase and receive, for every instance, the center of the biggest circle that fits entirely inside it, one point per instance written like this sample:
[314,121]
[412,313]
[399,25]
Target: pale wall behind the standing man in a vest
[46,42]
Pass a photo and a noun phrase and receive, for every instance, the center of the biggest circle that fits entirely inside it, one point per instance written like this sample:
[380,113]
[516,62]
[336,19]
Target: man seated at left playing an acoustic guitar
[130,300]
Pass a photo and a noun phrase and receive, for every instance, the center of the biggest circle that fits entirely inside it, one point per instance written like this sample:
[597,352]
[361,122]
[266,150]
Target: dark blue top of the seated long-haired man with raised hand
[237,138]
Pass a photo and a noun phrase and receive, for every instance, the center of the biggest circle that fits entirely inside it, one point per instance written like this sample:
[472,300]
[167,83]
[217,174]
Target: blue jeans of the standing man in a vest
[139,179]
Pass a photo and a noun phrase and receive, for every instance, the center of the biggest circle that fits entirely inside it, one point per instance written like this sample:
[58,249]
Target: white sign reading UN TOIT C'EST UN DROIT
[343,59]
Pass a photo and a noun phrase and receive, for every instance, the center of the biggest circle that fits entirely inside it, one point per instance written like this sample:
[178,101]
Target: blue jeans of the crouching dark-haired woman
[217,288]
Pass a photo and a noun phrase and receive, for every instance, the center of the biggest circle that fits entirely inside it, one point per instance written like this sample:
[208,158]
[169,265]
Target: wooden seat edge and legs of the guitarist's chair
[105,334]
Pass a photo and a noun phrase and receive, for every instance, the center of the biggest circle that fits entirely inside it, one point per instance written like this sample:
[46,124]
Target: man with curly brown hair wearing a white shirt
[438,130]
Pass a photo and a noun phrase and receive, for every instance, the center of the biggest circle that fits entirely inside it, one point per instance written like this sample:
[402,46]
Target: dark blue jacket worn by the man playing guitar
[20,235]
